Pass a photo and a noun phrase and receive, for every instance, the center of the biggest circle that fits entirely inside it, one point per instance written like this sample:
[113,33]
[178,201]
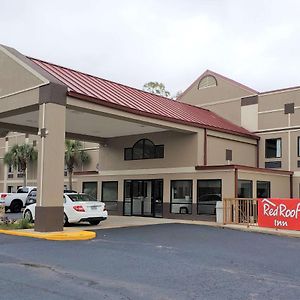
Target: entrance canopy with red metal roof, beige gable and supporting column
[55,103]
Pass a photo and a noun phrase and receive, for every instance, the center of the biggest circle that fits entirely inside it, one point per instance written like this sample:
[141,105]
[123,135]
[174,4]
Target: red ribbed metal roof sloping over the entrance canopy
[112,94]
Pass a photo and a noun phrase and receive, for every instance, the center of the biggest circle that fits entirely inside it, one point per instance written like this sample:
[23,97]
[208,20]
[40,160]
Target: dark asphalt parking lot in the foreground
[166,261]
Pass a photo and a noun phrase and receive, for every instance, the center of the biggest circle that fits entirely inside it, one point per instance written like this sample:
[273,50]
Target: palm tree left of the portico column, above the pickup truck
[20,156]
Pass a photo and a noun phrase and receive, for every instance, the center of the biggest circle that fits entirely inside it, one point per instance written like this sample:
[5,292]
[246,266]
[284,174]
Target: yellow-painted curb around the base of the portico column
[54,236]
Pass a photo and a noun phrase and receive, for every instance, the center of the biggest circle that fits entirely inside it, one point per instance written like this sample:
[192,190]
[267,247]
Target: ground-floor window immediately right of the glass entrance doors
[181,196]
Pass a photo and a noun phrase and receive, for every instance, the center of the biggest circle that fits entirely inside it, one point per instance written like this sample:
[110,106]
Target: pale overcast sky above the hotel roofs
[255,42]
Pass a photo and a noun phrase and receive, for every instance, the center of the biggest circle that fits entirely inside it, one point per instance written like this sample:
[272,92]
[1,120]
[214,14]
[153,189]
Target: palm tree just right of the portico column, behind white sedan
[74,157]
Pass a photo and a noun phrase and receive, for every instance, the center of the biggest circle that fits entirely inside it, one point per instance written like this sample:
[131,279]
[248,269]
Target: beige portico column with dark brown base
[51,148]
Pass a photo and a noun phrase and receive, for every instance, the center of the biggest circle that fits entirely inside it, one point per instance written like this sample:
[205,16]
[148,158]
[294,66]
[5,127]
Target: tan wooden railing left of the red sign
[240,211]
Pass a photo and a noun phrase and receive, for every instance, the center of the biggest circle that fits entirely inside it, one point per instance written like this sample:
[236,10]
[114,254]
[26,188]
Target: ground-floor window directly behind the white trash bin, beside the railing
[208,193]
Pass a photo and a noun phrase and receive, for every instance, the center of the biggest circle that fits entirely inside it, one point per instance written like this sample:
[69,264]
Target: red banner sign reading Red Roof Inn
[279,213]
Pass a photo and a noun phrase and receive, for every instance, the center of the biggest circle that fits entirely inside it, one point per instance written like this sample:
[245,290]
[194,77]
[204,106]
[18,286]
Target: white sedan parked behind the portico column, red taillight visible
[77,208]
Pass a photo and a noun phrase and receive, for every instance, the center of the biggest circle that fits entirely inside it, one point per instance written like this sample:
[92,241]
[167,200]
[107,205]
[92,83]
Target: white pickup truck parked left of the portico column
[16,201]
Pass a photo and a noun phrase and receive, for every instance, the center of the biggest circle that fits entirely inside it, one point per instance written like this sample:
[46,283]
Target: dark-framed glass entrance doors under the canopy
[143,198]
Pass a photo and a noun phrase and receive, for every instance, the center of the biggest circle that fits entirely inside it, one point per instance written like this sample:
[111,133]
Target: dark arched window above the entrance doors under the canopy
[144,149]
